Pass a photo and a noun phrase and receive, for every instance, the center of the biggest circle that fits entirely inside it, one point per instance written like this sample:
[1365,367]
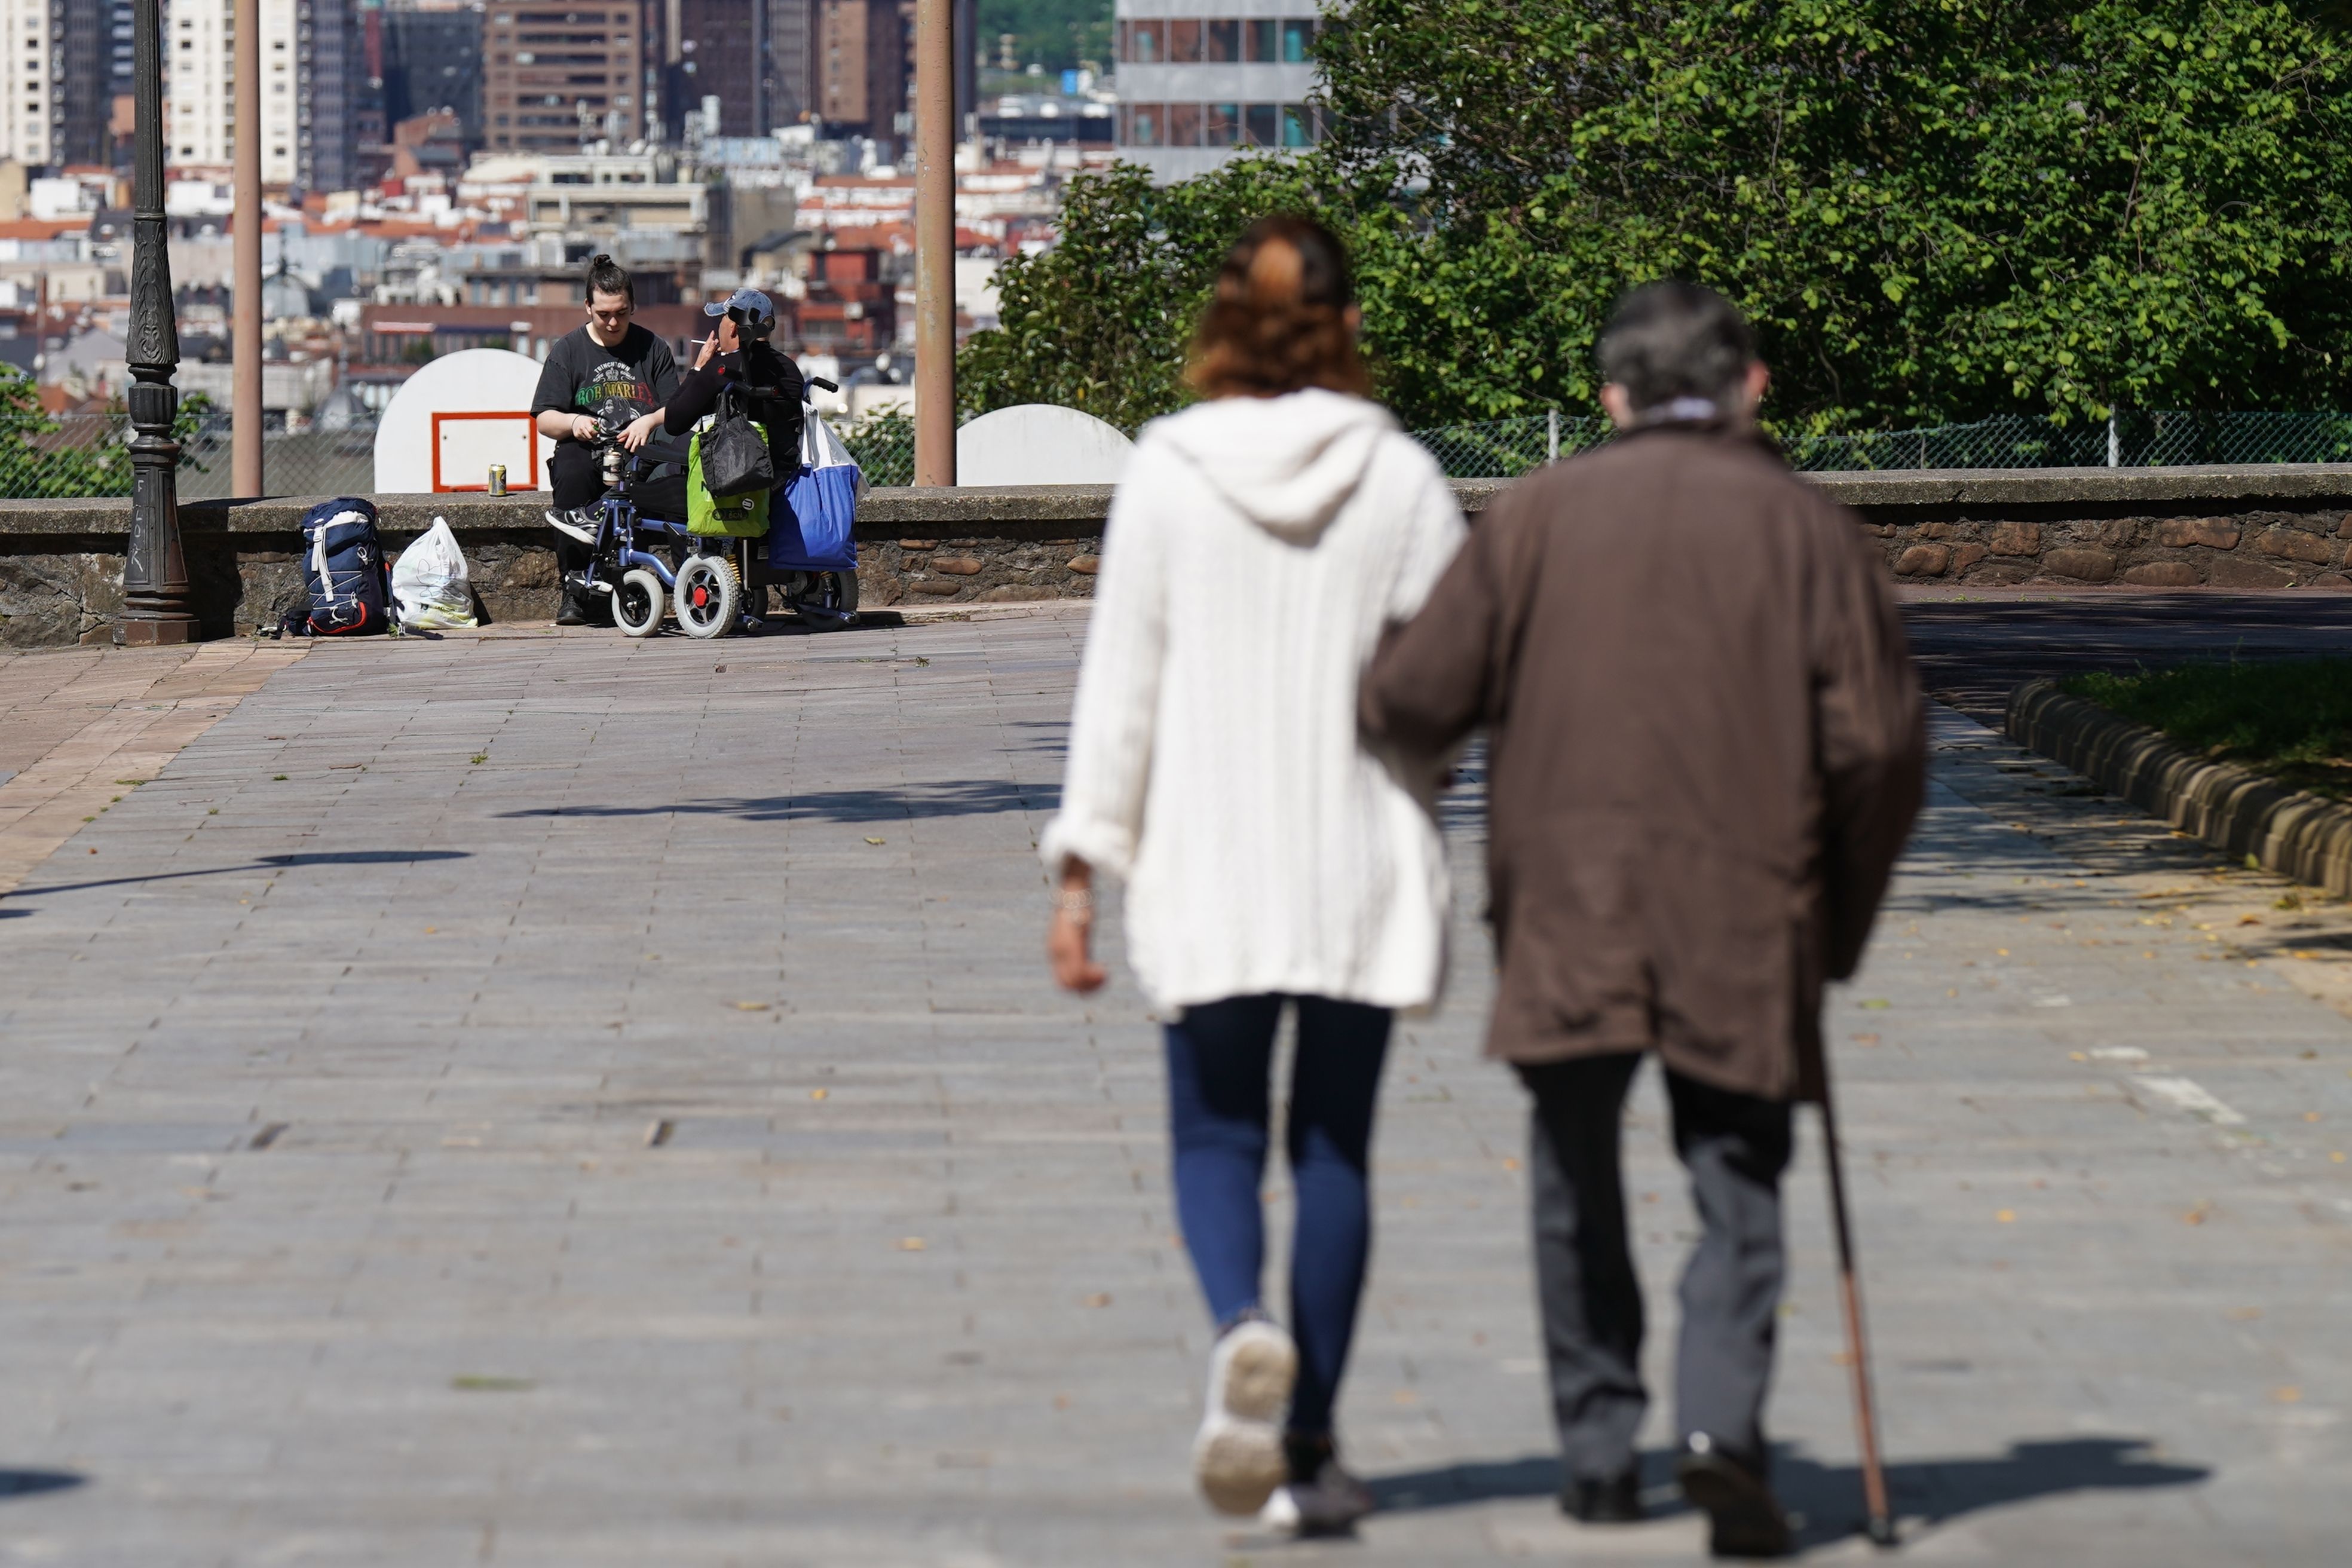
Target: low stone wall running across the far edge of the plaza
[2064,528]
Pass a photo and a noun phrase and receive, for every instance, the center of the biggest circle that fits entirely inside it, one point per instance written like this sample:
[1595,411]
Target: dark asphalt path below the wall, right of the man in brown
[1982,645]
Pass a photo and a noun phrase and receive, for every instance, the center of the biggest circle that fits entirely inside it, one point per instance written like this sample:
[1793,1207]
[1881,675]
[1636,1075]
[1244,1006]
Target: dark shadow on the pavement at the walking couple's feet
[1831,1496]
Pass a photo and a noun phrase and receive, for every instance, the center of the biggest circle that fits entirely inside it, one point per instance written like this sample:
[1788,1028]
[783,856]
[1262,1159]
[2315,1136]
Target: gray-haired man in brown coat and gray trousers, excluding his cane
[1704,749]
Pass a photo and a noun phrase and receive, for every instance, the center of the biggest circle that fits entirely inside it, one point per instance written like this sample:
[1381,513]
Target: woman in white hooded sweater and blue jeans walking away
[1257,547]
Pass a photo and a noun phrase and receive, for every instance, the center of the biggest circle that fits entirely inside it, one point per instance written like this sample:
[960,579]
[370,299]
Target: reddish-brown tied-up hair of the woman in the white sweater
[1281,319]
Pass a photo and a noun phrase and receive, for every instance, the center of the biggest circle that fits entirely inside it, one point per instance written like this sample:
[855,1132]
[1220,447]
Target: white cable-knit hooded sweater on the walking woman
[1255,551]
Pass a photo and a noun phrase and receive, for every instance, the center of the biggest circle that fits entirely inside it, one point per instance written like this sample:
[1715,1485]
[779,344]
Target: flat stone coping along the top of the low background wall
[1083,507]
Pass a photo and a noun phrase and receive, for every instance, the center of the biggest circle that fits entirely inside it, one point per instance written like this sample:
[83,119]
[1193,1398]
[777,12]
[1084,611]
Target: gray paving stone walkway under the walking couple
[563,1101]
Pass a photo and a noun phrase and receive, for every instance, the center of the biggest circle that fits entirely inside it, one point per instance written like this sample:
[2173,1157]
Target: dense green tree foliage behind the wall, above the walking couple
[1932,208]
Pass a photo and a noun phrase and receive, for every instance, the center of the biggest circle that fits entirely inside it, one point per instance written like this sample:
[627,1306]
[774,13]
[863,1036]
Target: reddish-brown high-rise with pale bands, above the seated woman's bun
[556,76]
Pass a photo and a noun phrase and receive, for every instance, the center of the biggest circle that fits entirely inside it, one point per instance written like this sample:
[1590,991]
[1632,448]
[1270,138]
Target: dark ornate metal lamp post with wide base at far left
[156,603]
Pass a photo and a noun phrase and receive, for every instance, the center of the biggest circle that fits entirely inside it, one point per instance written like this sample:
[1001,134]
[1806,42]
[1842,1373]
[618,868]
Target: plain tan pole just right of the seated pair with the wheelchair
[935,241]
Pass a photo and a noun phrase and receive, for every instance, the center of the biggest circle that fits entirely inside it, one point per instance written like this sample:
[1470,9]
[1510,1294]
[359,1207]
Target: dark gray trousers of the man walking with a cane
[1735,1148]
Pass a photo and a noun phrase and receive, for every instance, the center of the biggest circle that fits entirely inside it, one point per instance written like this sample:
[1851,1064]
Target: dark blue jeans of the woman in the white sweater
[1220,1113]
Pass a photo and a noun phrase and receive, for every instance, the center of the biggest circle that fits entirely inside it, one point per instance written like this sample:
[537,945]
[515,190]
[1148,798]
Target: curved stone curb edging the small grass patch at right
[2224,805]
